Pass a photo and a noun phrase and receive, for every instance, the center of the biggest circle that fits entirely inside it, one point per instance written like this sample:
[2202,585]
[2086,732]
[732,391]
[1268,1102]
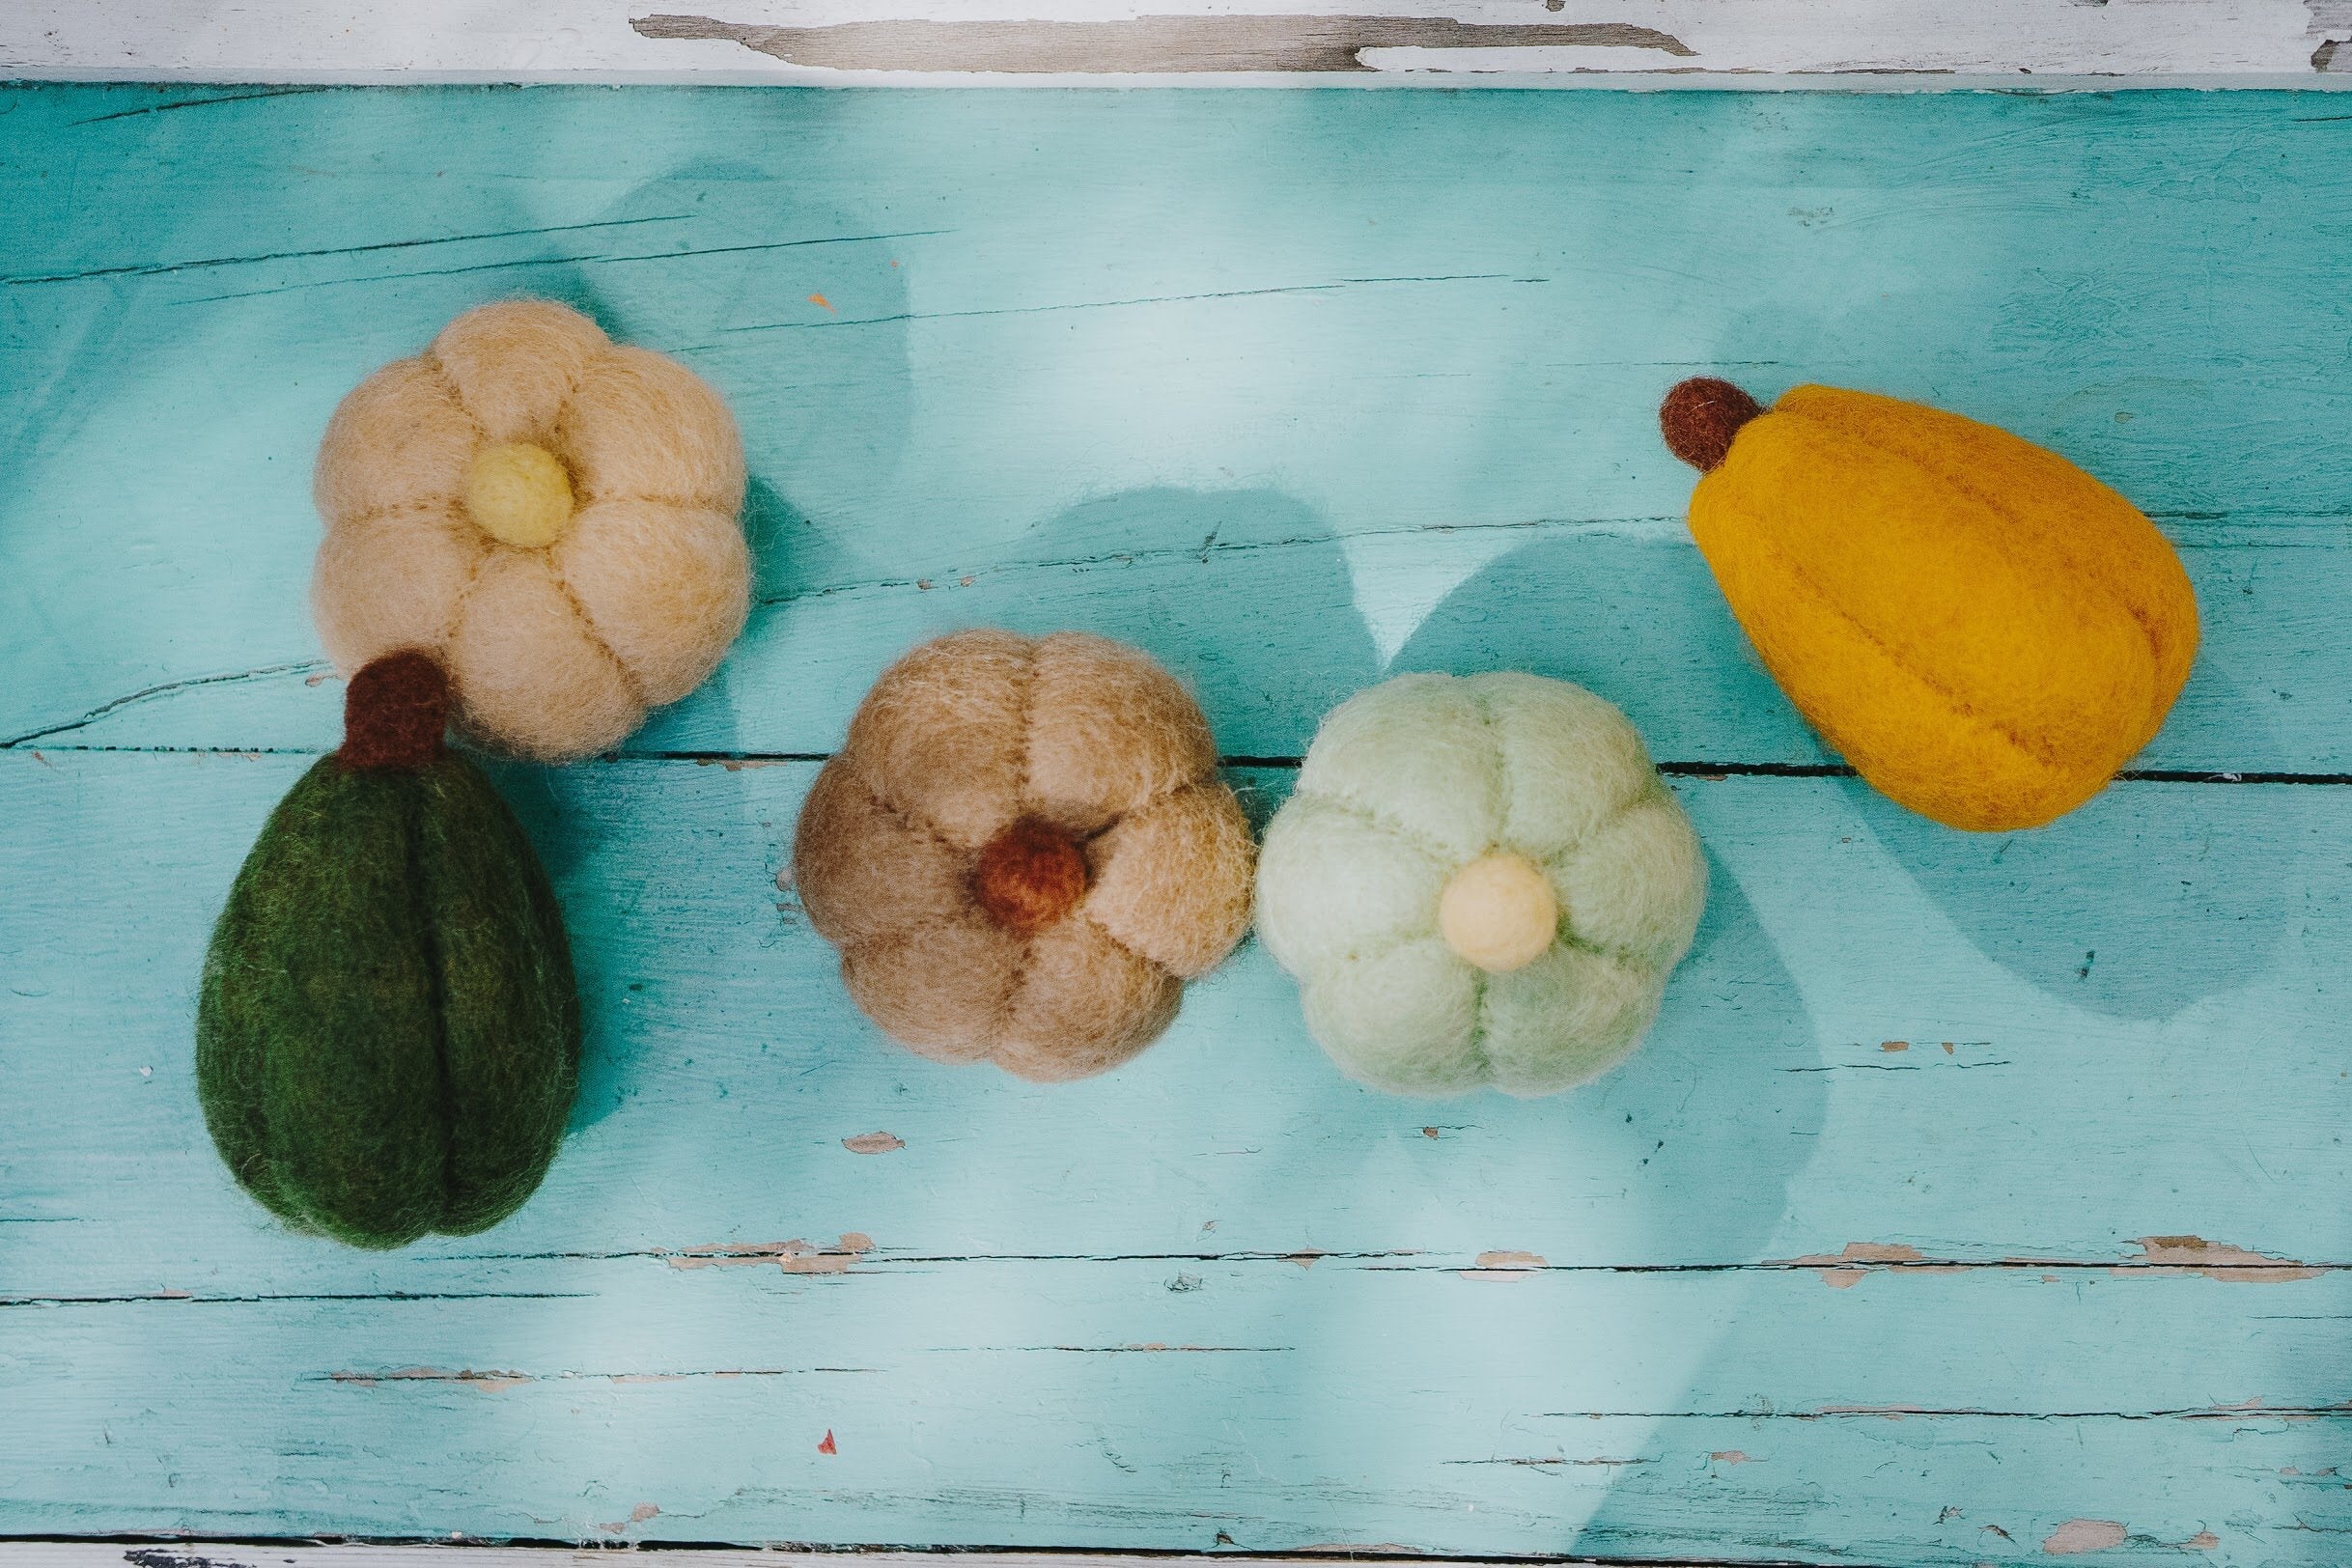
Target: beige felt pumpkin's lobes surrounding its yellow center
[554,652]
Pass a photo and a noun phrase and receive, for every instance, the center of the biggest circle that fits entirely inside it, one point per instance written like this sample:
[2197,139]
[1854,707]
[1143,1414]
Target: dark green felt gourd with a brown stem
[389,1031]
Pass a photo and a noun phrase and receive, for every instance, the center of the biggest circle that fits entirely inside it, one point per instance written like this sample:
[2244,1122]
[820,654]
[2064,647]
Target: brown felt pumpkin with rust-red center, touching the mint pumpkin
[994,756]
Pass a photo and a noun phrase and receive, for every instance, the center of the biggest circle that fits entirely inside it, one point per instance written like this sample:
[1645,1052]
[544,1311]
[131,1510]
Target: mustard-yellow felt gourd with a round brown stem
[1984,631]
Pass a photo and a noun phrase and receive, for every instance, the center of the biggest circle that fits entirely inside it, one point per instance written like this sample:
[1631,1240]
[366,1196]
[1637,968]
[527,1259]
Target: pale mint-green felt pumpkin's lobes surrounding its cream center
[1415,782]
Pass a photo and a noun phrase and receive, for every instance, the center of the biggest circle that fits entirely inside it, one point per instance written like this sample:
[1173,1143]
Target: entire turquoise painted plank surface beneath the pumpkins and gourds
[1967,1191]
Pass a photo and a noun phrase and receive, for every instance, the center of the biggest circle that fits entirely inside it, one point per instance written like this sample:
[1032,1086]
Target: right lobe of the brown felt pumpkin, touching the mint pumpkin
[1172,880]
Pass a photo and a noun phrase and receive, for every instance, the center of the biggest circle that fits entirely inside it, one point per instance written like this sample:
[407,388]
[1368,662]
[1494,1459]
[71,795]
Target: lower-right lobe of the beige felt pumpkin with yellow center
[664,587]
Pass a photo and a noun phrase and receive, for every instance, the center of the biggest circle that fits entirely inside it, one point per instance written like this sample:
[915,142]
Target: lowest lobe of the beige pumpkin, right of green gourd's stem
[528,671]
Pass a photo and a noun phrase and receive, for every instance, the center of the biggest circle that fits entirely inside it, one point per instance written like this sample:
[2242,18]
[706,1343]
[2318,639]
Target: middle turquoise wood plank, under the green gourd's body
[2141,1005]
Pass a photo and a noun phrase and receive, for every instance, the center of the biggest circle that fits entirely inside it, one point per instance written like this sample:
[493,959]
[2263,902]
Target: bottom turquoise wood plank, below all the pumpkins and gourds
[1257,1407]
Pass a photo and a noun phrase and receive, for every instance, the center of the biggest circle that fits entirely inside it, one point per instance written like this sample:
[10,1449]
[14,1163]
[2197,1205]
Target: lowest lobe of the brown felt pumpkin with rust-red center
[1083,1005]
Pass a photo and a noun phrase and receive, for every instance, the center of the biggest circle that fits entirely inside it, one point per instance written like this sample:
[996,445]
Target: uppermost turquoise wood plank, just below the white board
[1332,344]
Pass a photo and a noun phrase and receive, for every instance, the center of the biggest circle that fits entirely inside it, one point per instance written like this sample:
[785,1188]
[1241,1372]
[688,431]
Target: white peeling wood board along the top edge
[1568,43]
